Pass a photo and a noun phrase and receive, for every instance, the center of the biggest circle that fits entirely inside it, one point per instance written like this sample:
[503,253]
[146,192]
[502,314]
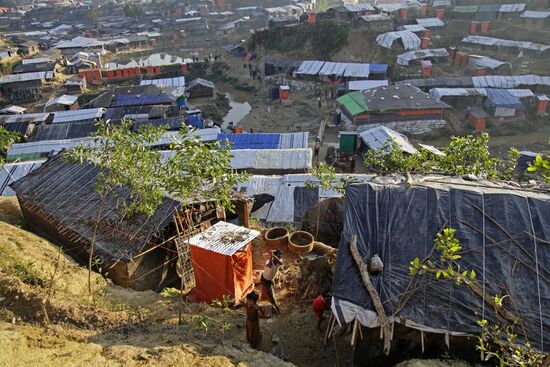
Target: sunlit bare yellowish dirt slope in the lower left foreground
[119,327]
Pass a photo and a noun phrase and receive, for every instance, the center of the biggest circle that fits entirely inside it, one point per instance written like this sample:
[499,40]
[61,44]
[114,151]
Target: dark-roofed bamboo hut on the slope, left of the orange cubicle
[59,201]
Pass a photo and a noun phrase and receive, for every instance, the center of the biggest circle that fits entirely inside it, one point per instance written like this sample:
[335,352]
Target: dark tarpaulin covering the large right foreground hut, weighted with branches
[399,223]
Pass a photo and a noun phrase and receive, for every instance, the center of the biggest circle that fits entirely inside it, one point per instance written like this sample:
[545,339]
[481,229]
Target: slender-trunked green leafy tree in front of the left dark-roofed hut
[127,159]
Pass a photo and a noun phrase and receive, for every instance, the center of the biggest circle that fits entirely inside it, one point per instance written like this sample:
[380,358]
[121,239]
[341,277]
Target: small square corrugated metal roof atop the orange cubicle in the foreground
[224,238]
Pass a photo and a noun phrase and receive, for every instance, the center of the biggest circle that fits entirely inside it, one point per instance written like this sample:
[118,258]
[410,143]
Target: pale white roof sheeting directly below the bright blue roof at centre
[271,159]
